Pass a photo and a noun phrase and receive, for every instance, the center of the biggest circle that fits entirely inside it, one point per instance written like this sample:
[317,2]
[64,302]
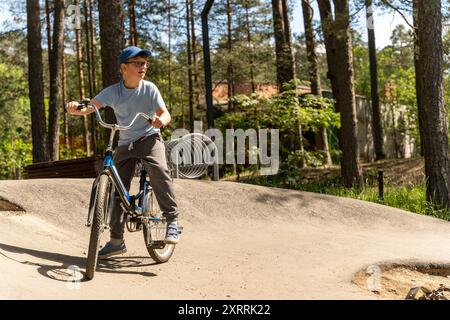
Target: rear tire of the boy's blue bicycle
[159,255]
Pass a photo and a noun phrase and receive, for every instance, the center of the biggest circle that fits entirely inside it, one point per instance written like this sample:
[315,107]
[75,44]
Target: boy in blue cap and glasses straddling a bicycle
[129,96]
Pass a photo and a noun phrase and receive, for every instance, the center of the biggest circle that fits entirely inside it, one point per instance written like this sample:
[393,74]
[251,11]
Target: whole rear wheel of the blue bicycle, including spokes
[154,227]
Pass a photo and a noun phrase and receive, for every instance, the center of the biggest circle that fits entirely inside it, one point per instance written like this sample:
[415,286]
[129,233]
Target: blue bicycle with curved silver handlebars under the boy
[140,210]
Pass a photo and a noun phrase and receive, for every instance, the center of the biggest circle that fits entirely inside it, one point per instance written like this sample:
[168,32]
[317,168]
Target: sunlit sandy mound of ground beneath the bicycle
[239,242]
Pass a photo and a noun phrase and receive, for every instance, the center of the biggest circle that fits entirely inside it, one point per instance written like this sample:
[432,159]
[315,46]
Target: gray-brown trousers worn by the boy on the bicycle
[151,150]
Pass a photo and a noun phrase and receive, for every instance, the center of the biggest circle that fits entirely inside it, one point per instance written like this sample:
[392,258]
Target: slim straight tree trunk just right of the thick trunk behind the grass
[377,128]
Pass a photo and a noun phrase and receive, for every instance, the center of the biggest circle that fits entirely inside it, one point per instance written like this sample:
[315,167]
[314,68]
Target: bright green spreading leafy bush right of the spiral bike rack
[288,112]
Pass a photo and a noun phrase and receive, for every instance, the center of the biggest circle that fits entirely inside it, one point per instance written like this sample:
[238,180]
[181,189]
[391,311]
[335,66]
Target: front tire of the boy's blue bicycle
[97,227]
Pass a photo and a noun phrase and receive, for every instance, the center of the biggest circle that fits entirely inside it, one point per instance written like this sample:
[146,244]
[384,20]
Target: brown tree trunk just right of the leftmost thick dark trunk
[56,80]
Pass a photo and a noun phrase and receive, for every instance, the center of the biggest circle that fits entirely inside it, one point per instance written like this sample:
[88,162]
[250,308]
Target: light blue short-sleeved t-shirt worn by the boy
[126,103]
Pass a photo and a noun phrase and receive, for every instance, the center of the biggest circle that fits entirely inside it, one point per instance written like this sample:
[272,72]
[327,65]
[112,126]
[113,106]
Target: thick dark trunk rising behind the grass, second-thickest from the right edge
[340,72]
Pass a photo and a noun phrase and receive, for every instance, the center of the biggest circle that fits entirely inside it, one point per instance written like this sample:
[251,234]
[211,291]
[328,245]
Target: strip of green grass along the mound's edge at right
[410,197]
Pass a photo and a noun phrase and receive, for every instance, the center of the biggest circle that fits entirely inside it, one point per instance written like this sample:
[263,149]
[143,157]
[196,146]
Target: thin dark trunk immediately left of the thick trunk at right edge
[417,66]
